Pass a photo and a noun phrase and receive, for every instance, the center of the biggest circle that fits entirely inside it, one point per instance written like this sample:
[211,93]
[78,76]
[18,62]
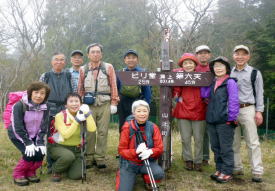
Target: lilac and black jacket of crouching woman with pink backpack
[29,125]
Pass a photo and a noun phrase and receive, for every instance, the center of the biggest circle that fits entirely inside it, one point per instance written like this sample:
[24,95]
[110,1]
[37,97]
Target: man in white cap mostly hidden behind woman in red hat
[203,53]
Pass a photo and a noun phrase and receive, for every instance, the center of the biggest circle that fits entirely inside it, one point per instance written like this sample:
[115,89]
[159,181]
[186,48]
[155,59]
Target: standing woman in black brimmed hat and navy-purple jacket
[221,116]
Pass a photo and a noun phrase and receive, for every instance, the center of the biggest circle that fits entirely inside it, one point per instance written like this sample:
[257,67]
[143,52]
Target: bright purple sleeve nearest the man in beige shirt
[233,100]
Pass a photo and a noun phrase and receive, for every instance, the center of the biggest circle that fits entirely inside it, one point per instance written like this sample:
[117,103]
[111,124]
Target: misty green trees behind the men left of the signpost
[118,25]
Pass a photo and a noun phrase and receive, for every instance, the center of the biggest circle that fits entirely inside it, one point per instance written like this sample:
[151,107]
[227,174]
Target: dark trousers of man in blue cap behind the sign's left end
[124,109]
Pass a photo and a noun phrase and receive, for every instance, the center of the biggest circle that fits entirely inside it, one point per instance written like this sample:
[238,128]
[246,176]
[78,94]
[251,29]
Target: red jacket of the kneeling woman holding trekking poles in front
[127,145]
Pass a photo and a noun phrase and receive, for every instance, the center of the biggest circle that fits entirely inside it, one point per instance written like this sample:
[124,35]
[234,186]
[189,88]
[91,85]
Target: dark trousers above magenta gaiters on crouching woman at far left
[38,156]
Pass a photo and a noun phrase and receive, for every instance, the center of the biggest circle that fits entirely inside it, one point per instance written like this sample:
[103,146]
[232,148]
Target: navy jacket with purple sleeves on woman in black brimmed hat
[223,102]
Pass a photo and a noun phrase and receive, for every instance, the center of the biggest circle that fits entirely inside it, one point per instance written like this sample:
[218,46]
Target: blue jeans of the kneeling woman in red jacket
[129,170]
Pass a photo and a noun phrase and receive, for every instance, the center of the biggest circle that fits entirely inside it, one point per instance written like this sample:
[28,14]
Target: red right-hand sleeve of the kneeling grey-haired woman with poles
[158,144]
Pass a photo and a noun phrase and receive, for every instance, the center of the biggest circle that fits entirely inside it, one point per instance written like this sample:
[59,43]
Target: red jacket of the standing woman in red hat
[192,106]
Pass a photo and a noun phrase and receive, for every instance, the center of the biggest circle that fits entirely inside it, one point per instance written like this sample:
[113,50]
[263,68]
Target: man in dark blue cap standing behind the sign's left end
[129,94]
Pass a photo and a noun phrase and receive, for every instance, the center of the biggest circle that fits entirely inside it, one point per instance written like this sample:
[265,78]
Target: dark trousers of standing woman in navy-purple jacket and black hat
[221,140]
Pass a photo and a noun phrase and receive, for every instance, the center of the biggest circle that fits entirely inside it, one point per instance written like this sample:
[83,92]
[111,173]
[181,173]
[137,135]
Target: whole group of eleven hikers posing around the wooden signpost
[51,115]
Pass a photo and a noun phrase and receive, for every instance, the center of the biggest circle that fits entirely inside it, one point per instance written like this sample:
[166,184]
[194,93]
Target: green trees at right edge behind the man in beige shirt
[249,22]
